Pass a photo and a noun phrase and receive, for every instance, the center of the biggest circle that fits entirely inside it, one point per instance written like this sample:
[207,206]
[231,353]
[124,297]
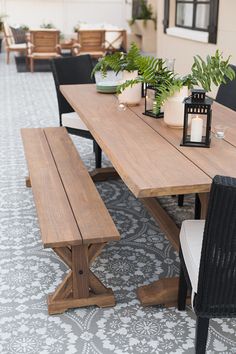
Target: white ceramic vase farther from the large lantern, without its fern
[131,95]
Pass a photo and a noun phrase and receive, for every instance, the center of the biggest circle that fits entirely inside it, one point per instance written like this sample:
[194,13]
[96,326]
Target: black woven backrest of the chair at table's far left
[70,71]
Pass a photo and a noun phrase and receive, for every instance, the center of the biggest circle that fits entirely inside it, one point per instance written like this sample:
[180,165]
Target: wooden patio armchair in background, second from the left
[43,44]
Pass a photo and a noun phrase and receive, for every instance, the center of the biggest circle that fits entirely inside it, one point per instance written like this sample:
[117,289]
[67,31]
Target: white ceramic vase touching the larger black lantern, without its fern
[174,109]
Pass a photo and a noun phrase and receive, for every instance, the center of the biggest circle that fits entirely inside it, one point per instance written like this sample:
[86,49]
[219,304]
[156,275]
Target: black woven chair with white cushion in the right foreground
[208,259]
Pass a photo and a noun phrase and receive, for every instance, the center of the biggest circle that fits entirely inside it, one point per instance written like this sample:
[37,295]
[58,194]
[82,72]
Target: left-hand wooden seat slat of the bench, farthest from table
[56,220]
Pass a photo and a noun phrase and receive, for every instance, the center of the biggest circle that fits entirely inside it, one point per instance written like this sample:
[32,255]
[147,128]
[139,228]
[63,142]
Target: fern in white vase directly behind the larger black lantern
[171,89]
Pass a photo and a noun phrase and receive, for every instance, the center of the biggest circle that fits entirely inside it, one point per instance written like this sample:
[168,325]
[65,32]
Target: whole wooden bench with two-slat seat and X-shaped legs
[73,219]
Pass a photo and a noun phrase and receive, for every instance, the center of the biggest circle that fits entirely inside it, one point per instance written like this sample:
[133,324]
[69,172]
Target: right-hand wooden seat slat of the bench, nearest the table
[93,219]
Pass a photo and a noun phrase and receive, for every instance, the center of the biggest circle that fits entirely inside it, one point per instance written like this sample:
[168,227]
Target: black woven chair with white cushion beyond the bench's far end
[69,71]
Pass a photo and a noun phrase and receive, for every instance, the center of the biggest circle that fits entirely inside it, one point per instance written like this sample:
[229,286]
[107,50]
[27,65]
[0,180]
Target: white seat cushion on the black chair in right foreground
[191,235]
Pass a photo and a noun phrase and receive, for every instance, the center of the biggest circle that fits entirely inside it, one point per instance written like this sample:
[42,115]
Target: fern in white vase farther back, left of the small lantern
[127,63]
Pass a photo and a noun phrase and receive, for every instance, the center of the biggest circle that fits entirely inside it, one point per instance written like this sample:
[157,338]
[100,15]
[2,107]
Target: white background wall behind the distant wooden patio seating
[65,14]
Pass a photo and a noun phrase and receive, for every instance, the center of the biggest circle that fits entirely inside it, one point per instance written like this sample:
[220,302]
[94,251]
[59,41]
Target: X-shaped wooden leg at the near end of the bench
[80,287]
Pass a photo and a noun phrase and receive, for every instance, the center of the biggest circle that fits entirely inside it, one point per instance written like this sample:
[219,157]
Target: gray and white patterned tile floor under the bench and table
[28,272]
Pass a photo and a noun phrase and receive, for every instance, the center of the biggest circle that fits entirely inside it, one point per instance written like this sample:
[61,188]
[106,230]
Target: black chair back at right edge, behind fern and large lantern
[226,94]
